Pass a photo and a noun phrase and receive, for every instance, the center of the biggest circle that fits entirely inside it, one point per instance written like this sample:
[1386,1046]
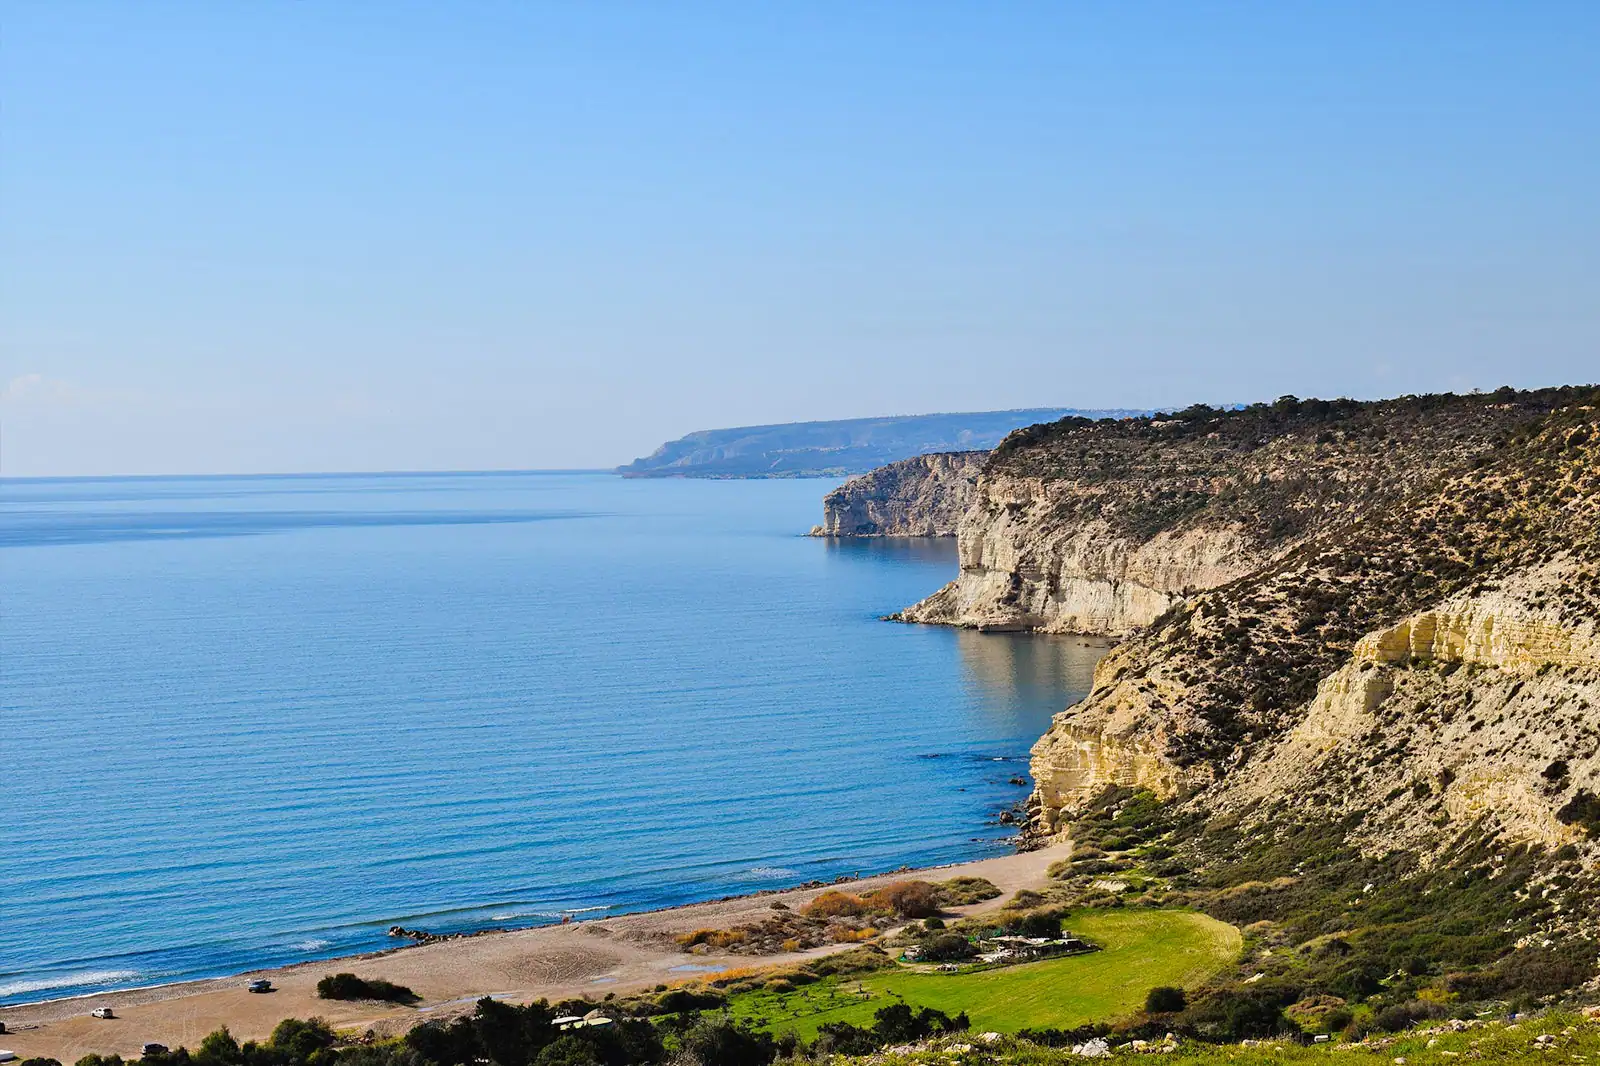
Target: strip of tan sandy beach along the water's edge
[615,955]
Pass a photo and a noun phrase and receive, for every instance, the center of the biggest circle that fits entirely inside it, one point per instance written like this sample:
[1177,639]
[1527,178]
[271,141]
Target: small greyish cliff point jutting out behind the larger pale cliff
[919,497]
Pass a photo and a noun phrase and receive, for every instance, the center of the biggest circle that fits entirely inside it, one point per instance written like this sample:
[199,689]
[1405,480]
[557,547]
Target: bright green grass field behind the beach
[1142,950]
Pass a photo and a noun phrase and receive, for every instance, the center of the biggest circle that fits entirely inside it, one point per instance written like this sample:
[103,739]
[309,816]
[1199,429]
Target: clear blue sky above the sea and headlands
[359,234]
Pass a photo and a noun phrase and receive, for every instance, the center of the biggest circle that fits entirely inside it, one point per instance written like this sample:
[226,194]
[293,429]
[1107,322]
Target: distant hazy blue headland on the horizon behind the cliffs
[833,449]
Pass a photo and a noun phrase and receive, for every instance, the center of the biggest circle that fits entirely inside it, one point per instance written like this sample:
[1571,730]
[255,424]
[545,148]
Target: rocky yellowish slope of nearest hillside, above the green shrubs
[1426,667]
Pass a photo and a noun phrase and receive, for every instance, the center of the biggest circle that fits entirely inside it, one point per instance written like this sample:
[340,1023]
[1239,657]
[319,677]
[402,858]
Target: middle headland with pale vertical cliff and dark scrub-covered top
[1102,527]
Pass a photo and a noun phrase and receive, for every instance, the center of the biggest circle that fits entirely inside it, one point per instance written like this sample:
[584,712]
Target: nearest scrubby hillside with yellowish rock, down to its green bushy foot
[1378,753]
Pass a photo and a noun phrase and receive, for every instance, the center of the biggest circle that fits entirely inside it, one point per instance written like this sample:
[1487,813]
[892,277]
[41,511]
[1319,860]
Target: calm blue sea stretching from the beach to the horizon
[252,721]
